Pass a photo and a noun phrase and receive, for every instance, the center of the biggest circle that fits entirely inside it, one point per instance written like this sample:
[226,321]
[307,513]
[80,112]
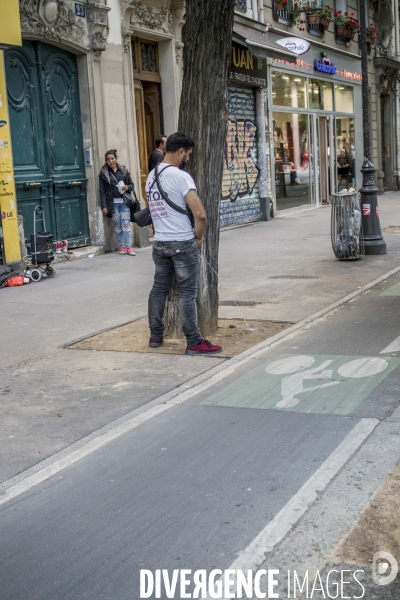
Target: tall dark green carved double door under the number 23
[43,94]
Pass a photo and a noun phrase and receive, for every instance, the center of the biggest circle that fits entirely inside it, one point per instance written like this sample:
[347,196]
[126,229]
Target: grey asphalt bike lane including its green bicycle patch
[193,487]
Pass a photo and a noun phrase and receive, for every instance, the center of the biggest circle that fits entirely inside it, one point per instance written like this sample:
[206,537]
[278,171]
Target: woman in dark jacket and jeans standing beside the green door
[114,180]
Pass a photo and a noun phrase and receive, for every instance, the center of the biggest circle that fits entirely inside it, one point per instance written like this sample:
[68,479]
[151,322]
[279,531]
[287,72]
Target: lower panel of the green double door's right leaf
[69,202]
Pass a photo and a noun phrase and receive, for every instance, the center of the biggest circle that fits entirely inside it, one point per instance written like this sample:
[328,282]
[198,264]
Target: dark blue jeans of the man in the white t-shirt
[181,259]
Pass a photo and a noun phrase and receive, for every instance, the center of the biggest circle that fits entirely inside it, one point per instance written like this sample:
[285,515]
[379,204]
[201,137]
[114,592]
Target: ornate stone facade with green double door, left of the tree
[90,76]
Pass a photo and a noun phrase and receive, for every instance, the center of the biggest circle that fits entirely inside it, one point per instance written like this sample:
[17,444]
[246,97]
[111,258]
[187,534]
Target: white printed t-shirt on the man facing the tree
[170,225]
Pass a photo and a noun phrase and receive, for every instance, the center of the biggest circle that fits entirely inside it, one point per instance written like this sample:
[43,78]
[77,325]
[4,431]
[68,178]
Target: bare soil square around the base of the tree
[234,335]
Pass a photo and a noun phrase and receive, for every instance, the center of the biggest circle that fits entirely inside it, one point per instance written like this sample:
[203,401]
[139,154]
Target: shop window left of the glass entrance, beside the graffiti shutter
[292,160]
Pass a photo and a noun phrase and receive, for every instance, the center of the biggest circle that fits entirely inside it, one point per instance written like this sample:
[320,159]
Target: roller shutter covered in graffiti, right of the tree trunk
[240,190]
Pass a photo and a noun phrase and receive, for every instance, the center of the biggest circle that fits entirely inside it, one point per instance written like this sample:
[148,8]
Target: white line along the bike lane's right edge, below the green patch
[288,517]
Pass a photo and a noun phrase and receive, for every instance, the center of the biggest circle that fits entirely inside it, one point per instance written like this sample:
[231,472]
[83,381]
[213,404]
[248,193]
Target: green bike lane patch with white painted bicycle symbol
[319,384]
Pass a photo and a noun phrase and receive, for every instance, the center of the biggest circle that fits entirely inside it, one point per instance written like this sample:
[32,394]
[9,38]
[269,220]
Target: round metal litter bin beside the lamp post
[346,234]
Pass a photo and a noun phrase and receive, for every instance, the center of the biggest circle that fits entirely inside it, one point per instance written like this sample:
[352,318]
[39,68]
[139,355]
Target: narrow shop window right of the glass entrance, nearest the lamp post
[345,153]
